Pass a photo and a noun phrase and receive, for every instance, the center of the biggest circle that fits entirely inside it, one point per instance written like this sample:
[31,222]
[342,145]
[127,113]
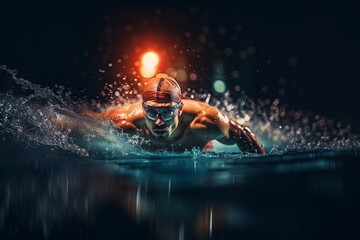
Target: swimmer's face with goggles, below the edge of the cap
[162,118]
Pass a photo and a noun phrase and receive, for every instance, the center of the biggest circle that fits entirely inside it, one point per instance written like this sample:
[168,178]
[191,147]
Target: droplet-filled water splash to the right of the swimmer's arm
[282,129]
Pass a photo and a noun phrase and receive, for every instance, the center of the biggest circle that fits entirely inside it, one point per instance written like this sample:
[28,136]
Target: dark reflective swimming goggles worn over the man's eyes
[166,113]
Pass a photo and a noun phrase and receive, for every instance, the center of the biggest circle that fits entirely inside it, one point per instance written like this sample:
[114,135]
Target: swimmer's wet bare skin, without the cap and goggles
[194,124]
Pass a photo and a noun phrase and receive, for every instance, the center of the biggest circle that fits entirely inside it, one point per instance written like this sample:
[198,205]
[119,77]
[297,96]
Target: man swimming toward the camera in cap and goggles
[171,123]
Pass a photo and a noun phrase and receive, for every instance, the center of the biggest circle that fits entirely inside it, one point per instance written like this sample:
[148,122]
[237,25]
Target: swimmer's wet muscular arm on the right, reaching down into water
[226,130]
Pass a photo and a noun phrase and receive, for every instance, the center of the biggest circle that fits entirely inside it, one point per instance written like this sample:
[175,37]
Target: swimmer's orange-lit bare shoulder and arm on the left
[129,118]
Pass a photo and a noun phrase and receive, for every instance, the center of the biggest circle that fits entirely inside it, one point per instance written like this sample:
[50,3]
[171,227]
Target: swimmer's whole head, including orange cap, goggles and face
[162,106]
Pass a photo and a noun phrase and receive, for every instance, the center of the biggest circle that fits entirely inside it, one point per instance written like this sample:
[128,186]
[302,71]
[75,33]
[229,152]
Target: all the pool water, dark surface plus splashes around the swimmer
[55,184]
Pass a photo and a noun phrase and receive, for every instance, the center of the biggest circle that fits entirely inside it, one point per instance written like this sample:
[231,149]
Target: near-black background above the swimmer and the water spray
[307,55]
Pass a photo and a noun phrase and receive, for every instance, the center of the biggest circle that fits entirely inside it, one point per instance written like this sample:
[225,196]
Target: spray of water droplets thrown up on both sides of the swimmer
[30,119]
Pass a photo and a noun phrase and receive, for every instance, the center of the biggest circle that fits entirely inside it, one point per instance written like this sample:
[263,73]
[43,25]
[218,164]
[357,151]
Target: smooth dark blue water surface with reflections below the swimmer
[56,195]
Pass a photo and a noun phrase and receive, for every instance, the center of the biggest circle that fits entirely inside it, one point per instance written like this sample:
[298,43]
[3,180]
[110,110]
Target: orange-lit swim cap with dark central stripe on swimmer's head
[163,89]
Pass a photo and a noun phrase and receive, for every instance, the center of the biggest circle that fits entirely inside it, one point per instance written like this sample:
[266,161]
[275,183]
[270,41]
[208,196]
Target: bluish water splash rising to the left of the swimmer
[29,120]
